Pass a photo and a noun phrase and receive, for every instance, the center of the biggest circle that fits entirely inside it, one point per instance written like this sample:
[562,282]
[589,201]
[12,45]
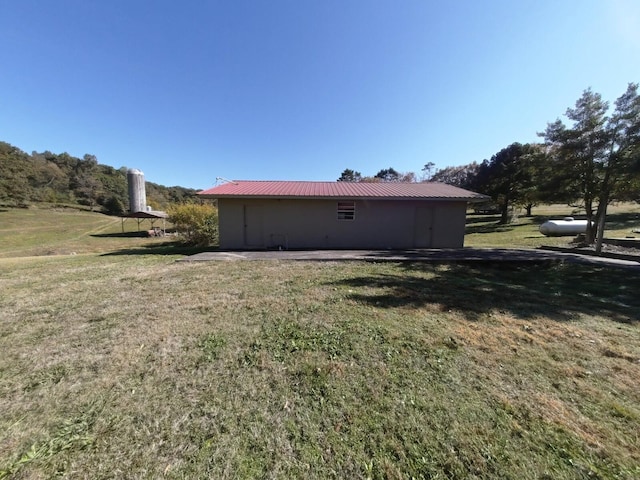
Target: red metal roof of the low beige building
[363,190]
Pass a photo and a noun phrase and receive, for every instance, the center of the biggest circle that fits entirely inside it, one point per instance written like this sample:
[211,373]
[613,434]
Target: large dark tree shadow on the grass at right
[559,291]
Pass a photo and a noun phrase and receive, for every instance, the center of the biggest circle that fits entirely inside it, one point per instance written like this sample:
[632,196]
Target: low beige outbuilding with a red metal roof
[330,215]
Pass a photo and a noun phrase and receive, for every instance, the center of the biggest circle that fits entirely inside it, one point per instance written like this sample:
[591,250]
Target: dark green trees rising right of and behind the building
[589,162]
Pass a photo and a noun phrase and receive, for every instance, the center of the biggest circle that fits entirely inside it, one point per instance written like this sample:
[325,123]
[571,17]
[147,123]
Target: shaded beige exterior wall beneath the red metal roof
[266,223]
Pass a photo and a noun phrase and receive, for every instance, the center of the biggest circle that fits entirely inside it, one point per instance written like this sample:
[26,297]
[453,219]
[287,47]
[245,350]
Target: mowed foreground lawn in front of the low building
[138,366]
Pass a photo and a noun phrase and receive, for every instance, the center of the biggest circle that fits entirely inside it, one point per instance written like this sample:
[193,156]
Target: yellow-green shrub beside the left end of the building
[197,224]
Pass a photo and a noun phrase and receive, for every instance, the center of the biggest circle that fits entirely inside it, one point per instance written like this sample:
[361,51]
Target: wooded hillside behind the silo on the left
[64,179]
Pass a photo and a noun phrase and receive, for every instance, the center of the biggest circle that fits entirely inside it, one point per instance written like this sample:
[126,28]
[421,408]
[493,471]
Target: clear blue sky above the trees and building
[191,90]
